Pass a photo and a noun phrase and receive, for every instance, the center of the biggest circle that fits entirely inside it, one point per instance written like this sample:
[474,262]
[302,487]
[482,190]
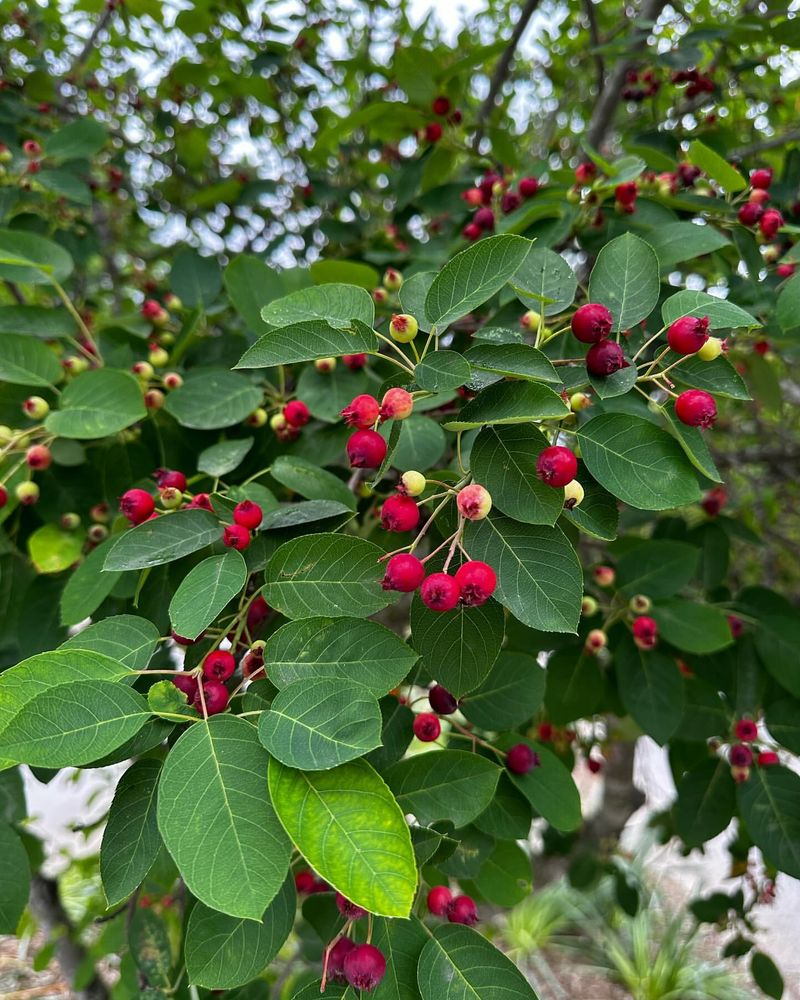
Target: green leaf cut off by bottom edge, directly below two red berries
[457,963]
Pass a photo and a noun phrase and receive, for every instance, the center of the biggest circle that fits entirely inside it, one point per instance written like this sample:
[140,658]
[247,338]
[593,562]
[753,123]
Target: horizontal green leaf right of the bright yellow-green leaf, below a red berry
[451,785]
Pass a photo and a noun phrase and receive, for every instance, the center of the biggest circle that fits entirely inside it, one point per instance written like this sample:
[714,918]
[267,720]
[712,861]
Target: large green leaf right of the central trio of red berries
[539,578]
